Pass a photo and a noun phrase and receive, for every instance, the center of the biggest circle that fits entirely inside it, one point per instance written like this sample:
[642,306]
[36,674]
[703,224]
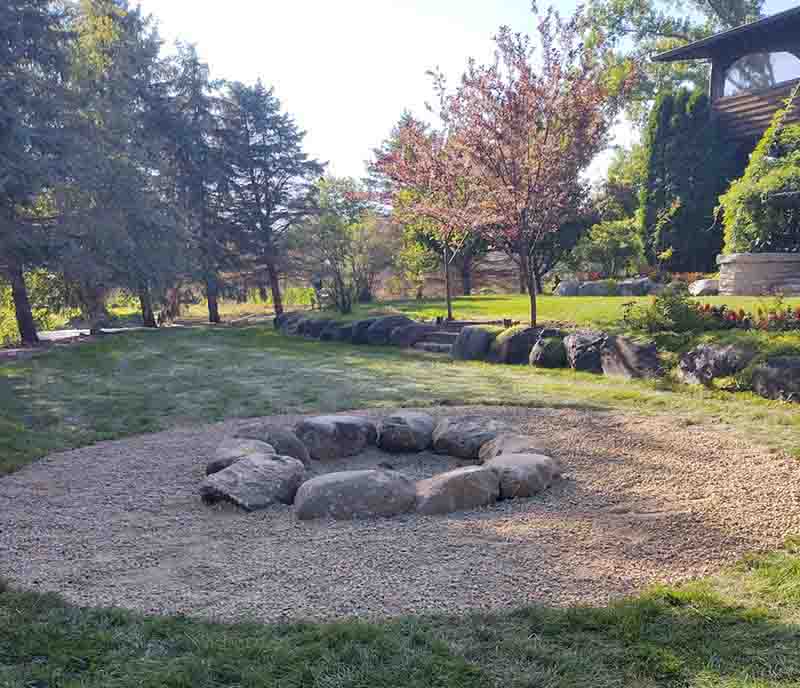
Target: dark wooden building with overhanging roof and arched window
[754,69]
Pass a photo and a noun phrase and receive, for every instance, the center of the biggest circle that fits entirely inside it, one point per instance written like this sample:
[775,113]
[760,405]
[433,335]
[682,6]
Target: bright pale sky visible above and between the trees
[346,69]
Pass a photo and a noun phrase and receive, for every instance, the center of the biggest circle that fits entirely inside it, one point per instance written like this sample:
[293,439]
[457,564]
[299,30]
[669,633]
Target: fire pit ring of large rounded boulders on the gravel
[256,470]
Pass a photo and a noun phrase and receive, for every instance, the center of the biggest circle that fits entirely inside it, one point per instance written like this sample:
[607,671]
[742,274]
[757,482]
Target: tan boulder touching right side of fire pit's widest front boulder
[462,489]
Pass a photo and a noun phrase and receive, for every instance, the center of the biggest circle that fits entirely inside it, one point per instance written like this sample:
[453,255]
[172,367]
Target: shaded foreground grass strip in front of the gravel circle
[739,630]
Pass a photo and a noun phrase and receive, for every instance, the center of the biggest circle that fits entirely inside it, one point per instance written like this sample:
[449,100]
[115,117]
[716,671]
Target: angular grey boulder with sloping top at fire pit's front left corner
[255,482]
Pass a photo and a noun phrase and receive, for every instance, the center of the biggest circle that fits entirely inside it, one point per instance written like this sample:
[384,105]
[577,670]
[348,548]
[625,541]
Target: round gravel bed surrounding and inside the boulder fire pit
[645,500]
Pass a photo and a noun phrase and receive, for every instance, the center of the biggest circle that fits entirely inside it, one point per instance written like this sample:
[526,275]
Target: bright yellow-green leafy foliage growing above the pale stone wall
[756,219]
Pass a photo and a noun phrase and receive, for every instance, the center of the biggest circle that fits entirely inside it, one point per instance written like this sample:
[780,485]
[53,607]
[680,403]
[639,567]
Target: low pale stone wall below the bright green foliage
[758,274]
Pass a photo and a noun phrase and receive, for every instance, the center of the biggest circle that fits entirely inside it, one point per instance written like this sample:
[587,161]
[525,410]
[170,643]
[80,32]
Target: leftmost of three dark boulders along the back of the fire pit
[334,437]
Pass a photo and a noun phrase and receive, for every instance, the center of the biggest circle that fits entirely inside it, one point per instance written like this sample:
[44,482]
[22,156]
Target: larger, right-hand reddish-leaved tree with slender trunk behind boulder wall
[530,124]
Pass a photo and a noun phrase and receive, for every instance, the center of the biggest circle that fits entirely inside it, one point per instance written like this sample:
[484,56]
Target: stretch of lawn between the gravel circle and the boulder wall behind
[147,381]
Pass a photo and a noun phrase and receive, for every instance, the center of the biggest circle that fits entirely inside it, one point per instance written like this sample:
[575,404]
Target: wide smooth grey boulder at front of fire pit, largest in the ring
[355,494]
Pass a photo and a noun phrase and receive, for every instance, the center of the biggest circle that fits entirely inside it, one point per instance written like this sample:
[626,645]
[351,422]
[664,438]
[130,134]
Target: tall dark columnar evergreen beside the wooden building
[688,166]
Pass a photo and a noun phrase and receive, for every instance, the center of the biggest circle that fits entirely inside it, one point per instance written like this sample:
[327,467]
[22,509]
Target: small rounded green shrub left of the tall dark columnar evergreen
[614,245]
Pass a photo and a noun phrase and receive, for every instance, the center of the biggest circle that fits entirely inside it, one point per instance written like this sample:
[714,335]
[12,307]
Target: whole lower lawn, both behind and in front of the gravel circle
[739,630]
